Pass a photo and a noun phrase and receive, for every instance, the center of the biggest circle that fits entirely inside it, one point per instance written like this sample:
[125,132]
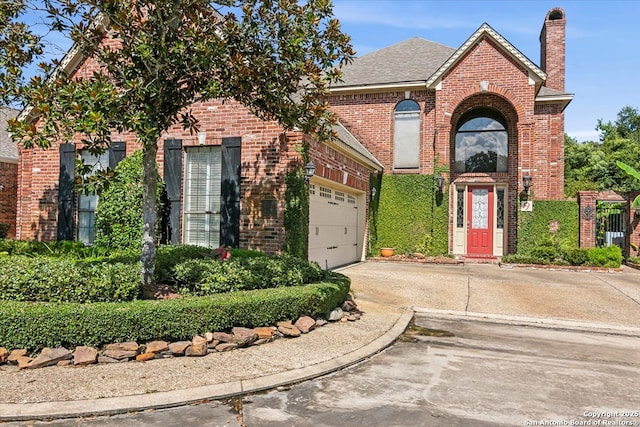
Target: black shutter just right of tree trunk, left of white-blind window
[173,188]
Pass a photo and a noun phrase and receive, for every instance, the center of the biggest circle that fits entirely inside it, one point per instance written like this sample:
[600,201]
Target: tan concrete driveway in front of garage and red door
[580,296]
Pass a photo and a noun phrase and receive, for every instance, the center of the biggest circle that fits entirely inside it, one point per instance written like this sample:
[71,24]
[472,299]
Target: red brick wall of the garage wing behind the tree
[267,152]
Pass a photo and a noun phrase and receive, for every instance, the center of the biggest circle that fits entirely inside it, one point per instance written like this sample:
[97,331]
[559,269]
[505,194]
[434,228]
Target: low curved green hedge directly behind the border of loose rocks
[37,325]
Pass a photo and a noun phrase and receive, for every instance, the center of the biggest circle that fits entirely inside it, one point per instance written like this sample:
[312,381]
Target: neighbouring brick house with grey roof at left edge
[8,173]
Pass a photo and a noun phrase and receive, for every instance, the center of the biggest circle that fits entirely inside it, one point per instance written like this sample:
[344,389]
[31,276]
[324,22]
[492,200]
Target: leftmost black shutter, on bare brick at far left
[65,192]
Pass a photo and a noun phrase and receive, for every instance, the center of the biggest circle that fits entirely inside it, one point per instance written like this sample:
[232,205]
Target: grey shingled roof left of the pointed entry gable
[410,61]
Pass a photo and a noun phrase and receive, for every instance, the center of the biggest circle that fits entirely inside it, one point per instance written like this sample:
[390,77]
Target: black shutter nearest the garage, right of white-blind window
[230,193]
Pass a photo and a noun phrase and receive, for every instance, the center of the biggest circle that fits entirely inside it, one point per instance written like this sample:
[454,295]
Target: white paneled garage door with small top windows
[333,226]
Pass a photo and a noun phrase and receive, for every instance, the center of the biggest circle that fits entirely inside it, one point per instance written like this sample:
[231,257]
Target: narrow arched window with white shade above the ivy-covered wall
[406,136]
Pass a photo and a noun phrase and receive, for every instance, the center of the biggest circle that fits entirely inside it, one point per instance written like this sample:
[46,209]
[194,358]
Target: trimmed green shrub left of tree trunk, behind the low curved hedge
[64,280]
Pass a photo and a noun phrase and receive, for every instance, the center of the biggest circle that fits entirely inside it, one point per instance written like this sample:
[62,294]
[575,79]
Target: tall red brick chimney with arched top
[552,48]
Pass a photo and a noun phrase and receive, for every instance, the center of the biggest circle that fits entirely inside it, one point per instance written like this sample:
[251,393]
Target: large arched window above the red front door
[481,142]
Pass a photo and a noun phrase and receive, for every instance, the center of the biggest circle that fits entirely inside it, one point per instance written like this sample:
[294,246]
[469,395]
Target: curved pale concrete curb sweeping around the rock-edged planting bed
[167,399]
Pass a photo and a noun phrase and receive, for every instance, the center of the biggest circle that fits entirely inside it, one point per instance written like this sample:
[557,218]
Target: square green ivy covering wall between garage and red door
[408,214]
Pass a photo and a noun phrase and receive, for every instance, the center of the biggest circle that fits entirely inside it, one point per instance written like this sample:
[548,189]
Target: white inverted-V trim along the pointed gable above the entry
[485,30]
